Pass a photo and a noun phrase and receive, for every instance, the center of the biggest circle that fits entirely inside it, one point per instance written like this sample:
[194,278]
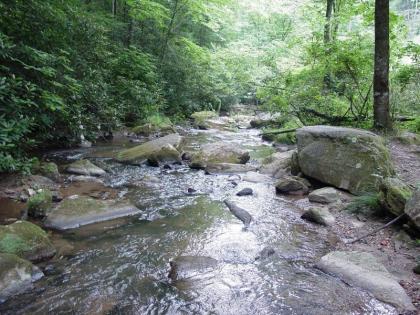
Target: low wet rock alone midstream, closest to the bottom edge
[186,267]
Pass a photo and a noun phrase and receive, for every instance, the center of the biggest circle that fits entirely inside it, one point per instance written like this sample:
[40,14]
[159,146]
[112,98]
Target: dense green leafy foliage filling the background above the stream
[79,68]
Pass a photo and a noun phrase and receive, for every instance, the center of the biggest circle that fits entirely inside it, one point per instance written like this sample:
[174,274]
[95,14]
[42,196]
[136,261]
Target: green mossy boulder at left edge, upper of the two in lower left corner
[26,240]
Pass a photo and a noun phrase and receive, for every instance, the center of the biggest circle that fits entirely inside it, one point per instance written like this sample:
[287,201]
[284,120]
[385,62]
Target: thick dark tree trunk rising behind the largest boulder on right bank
[382,117]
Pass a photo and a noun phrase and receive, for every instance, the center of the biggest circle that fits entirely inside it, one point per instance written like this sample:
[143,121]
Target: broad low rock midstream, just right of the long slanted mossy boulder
[219,152]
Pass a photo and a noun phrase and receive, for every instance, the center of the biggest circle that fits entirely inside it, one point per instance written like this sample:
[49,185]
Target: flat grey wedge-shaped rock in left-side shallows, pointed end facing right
[77,211]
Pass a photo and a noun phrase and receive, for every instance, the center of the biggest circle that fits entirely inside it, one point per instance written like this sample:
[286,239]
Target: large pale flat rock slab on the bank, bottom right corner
[363,270]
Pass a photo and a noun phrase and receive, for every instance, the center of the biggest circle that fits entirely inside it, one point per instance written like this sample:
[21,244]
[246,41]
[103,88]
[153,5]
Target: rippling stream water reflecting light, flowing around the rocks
[122,267]
